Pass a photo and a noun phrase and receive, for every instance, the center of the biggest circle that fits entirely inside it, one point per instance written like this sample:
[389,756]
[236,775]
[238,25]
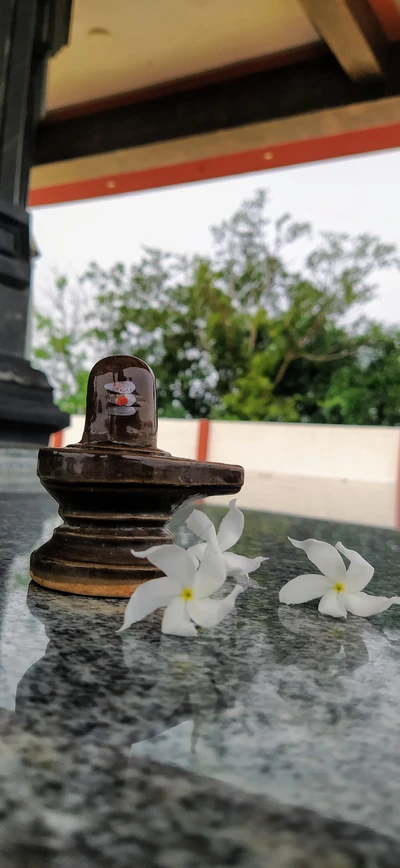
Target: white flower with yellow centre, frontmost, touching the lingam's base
[185,590]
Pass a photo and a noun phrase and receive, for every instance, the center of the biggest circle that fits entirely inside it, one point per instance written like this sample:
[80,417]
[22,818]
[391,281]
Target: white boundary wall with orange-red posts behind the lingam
[337,472]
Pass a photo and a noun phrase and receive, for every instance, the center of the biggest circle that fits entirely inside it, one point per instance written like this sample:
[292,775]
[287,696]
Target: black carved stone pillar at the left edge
[31,31]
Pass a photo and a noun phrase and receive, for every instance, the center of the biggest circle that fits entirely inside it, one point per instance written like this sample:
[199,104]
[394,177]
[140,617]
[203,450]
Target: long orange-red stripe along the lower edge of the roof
[293,153]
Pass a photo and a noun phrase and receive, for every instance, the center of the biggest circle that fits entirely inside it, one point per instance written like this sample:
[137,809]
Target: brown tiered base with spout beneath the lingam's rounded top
[111,504]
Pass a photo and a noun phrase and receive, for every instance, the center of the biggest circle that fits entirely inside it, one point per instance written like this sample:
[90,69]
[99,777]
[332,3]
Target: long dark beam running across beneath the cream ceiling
[263,96]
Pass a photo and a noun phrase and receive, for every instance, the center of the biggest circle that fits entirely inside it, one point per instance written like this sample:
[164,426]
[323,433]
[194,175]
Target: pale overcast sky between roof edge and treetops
[354,195]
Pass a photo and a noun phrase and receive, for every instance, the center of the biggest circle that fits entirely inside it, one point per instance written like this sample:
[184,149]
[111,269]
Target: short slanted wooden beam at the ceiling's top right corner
[353,33]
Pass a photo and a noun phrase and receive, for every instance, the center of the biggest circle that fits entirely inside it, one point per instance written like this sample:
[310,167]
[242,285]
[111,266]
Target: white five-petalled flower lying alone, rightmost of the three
[340,590]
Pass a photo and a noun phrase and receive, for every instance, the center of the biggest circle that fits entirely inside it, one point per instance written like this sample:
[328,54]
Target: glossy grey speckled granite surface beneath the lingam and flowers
[272,740]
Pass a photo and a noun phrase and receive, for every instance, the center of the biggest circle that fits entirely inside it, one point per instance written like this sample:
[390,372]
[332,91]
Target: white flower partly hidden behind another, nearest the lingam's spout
[230,531]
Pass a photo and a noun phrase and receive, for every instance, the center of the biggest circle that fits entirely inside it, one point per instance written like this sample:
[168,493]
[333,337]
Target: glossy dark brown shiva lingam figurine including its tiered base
[116,490]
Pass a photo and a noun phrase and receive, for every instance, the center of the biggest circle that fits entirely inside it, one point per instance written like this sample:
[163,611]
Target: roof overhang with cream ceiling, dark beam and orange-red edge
[335,94]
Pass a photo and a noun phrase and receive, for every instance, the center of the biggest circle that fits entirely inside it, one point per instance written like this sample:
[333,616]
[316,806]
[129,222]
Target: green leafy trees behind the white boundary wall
[270,327]
